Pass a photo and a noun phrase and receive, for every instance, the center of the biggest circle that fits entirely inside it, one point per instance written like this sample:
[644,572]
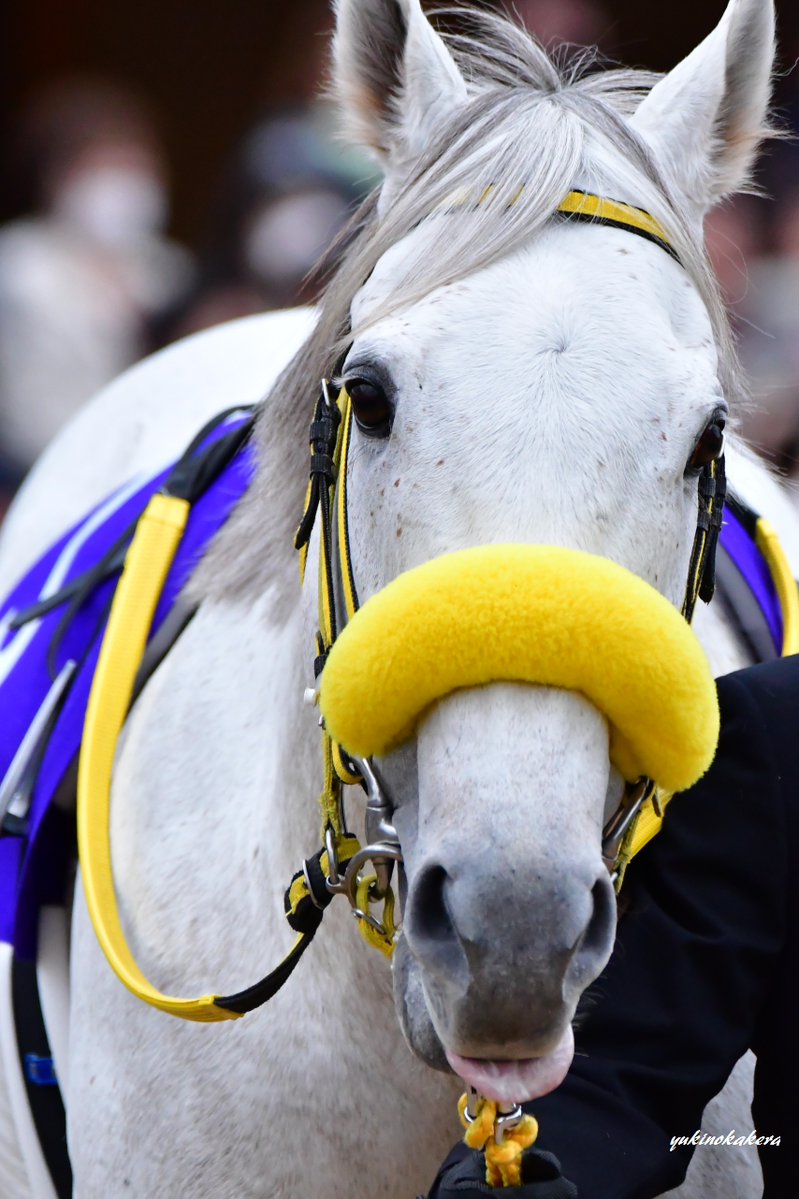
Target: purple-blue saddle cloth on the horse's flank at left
[33,870]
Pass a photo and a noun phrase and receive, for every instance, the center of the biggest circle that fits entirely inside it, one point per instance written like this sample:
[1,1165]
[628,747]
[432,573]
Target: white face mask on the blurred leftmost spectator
[116,206]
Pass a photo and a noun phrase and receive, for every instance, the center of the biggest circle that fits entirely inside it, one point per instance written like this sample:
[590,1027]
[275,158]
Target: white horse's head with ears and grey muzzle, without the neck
[521,378]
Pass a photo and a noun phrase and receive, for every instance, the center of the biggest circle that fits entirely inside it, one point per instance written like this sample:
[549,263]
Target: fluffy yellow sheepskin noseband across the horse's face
[537,614]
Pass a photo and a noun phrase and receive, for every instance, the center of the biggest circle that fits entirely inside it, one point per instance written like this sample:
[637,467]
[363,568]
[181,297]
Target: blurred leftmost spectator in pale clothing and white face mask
[86,278]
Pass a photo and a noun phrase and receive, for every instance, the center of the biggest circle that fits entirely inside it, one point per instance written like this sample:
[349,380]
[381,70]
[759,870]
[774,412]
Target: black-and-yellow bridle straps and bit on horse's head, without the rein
[641,809]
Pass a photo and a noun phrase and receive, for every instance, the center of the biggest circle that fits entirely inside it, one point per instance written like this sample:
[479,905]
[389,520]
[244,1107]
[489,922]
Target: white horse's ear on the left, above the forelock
[393,76]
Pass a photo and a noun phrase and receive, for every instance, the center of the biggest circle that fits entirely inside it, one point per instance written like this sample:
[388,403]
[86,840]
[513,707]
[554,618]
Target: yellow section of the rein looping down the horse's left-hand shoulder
[147,567]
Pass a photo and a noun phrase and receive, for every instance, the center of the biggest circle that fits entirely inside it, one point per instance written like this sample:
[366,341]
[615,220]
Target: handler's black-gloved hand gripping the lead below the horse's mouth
[464,1177]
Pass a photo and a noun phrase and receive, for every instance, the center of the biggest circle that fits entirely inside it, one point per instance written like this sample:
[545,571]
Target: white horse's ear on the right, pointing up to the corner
[706,119]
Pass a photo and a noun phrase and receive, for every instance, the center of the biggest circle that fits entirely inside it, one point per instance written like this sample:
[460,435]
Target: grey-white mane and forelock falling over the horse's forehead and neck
[542,119]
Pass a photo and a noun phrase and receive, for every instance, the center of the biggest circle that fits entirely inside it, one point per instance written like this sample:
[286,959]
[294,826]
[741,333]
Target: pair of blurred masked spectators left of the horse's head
[89,280]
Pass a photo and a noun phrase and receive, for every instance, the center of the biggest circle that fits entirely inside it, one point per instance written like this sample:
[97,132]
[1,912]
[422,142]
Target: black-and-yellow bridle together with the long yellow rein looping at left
[341,866]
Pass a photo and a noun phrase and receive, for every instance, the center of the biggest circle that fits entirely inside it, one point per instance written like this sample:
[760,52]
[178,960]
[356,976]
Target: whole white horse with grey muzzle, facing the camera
[534,381]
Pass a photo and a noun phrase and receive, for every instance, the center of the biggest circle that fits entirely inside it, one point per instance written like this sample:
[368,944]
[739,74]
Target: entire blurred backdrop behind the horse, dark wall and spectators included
[169,165]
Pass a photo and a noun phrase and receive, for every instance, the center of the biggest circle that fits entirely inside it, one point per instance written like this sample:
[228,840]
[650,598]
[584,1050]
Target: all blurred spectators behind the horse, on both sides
[91,280]
